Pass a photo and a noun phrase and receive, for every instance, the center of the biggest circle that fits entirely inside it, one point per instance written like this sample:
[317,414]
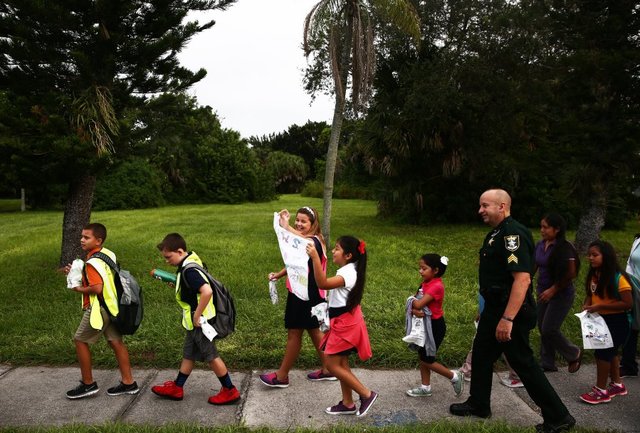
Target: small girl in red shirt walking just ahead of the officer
[431,294]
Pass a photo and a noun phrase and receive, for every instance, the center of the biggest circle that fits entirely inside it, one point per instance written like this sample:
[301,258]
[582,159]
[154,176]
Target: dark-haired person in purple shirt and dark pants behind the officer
[557,264]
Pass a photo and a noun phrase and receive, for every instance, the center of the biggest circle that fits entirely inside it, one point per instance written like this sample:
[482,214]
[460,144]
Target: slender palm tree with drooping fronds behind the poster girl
[340,33]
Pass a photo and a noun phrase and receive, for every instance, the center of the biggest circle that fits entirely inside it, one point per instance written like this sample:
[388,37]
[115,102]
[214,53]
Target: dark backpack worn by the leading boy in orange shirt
[129,294]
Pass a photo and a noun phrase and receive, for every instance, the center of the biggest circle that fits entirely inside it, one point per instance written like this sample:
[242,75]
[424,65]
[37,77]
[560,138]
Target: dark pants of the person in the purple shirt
[550,317]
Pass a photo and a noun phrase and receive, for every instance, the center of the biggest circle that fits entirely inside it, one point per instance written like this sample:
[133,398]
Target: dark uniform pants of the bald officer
[486,350]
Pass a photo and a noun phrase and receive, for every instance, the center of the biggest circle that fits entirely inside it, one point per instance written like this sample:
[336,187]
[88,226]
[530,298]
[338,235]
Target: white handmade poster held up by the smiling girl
[294,254]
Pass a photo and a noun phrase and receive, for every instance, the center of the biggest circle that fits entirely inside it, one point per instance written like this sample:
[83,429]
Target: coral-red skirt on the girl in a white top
[347,331]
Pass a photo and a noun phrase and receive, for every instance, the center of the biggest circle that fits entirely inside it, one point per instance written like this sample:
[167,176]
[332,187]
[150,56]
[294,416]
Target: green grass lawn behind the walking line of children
[38,315]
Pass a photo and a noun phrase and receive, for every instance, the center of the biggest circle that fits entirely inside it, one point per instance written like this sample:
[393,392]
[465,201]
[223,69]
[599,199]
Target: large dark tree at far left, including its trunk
[71,68]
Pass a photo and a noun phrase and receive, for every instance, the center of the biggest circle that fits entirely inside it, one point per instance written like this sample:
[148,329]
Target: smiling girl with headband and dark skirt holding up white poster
[297,316]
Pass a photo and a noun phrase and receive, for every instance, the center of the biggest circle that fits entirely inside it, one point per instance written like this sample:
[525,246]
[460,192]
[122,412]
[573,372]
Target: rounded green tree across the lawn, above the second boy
[202,162]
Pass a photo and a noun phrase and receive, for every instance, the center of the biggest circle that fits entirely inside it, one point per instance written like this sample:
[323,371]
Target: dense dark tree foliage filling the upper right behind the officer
[519,95]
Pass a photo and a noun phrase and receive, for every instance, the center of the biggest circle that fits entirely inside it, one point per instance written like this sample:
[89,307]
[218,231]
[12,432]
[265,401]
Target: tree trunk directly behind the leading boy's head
[77,213]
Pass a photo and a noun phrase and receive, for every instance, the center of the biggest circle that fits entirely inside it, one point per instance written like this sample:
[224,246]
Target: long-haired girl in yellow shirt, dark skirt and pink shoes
[608,293]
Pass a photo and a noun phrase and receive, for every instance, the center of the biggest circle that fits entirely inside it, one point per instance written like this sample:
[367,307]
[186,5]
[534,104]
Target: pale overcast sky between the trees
[254,64]
